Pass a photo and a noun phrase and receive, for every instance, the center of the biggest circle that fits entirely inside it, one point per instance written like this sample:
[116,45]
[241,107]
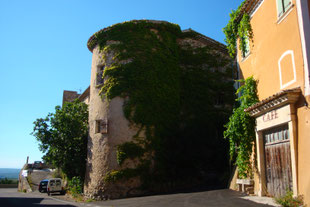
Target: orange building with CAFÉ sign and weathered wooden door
[278,57]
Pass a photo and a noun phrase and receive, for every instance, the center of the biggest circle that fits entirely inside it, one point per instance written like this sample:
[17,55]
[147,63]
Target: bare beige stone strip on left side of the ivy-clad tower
[108,128]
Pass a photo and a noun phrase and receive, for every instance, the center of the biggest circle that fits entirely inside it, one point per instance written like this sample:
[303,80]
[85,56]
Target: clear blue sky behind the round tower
[43,52]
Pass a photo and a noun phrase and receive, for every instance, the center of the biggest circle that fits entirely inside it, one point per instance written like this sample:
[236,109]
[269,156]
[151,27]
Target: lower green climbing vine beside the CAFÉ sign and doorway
[240,130]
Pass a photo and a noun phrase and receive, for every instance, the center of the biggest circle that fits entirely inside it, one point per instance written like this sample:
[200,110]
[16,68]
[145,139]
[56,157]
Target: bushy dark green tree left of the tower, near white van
[63,137]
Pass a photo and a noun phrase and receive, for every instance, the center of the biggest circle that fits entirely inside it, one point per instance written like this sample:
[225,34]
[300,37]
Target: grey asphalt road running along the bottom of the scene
[9,197]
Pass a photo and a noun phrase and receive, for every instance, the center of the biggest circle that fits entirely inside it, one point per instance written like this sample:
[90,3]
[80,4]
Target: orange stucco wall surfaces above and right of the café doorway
[277,42]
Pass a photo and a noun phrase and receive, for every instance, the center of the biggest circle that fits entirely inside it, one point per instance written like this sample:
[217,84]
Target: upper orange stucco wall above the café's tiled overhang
[271,40]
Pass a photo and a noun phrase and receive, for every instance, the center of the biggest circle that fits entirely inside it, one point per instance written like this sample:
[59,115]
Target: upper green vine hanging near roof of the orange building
[237,29]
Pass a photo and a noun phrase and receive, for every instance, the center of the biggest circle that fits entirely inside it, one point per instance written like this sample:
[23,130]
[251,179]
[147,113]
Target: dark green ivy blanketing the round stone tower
[171,93]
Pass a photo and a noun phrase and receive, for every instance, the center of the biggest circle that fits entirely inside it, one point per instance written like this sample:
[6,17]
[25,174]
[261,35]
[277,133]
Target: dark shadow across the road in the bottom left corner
[28,202]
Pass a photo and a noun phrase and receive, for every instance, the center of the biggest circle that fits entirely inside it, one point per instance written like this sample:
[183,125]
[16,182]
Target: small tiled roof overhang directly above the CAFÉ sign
[289,96]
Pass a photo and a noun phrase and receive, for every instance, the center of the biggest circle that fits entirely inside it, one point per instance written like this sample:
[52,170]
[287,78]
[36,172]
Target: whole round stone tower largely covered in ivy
[155,90]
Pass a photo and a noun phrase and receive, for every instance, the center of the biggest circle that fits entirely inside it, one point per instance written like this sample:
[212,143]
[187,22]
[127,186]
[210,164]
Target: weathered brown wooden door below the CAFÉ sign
[278,160]
